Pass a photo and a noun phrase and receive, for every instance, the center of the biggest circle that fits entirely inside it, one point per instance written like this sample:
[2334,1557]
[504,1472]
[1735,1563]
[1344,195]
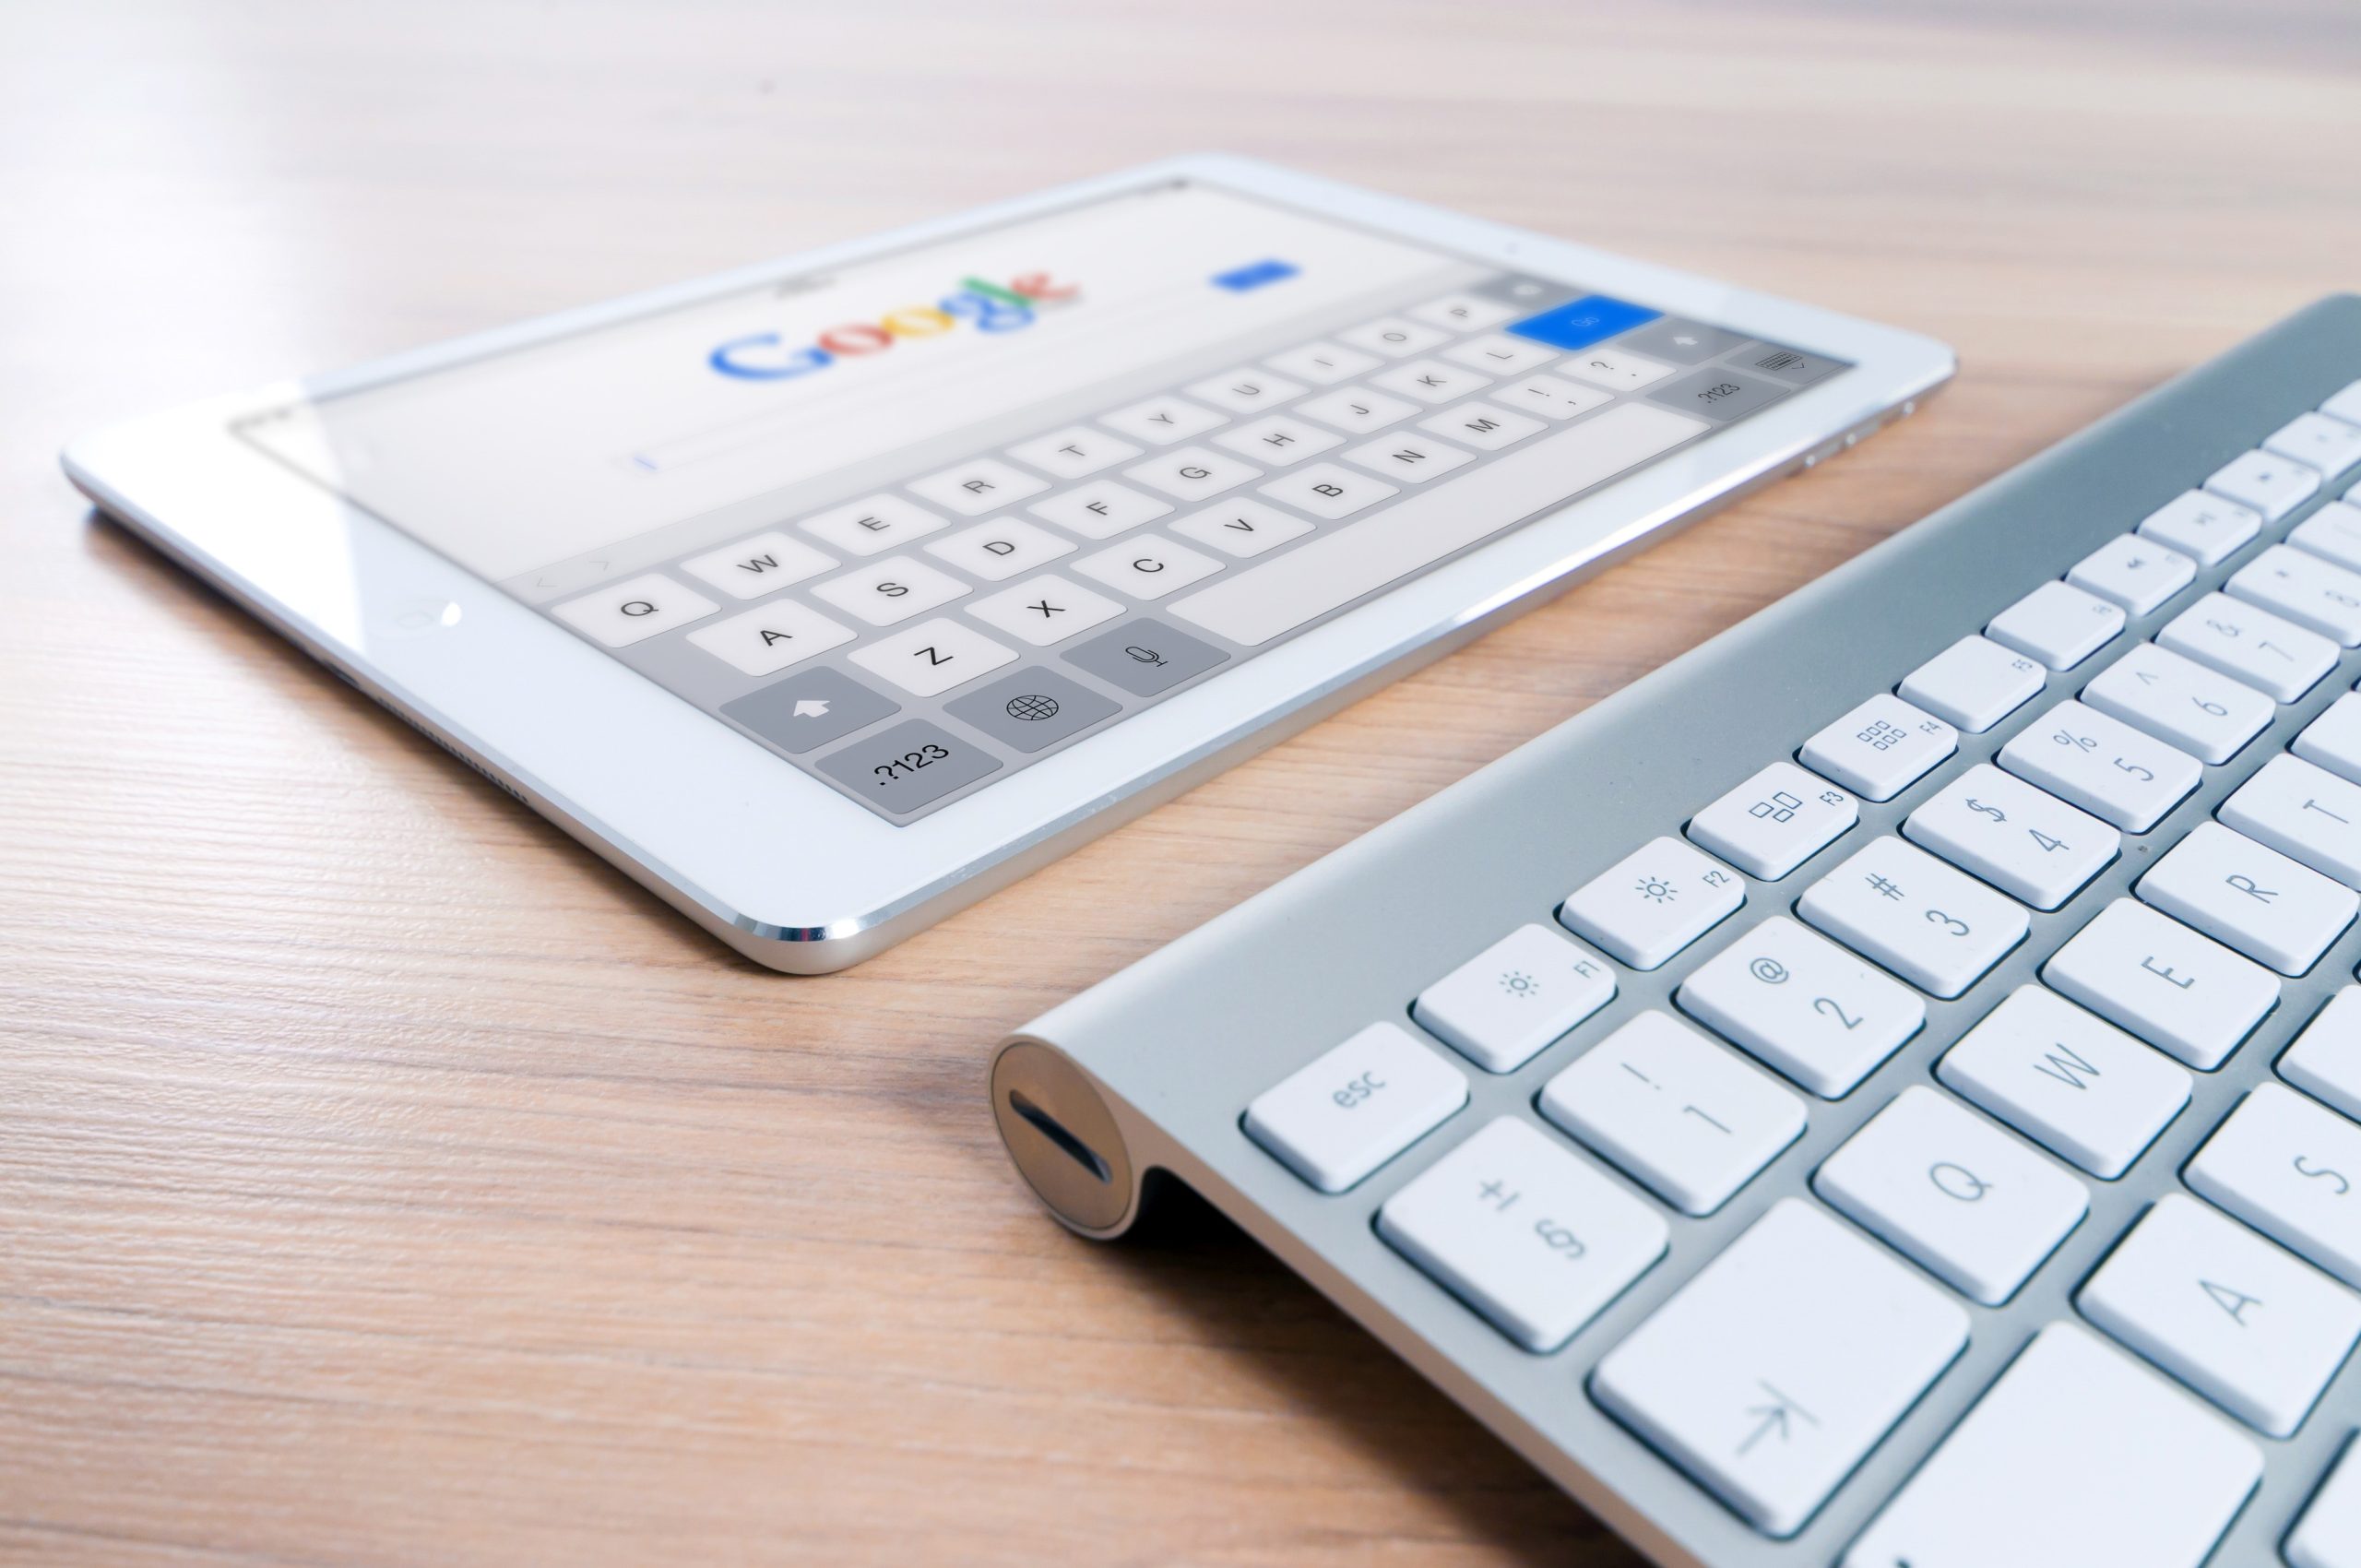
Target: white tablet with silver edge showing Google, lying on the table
[832,594]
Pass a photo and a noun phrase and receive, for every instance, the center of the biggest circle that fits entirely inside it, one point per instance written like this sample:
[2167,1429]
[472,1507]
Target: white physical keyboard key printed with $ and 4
[2025,842]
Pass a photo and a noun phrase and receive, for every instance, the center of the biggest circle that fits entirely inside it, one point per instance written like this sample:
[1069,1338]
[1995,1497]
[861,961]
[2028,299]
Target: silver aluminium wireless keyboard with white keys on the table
[1883,1090]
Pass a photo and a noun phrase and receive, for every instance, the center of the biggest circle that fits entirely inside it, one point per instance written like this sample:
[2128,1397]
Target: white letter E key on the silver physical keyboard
[2164,984]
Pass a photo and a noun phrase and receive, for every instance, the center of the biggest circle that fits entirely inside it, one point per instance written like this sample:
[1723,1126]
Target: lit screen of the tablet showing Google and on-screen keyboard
[934,516]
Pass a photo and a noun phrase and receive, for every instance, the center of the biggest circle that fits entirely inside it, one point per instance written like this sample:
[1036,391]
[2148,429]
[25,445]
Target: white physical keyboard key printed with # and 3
[1930,925]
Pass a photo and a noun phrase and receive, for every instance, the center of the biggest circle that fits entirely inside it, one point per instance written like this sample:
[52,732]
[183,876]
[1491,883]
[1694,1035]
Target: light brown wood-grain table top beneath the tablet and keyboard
[386,1182]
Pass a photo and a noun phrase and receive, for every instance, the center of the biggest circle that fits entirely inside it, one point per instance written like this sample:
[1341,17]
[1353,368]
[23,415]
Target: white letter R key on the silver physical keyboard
[2249,896]
